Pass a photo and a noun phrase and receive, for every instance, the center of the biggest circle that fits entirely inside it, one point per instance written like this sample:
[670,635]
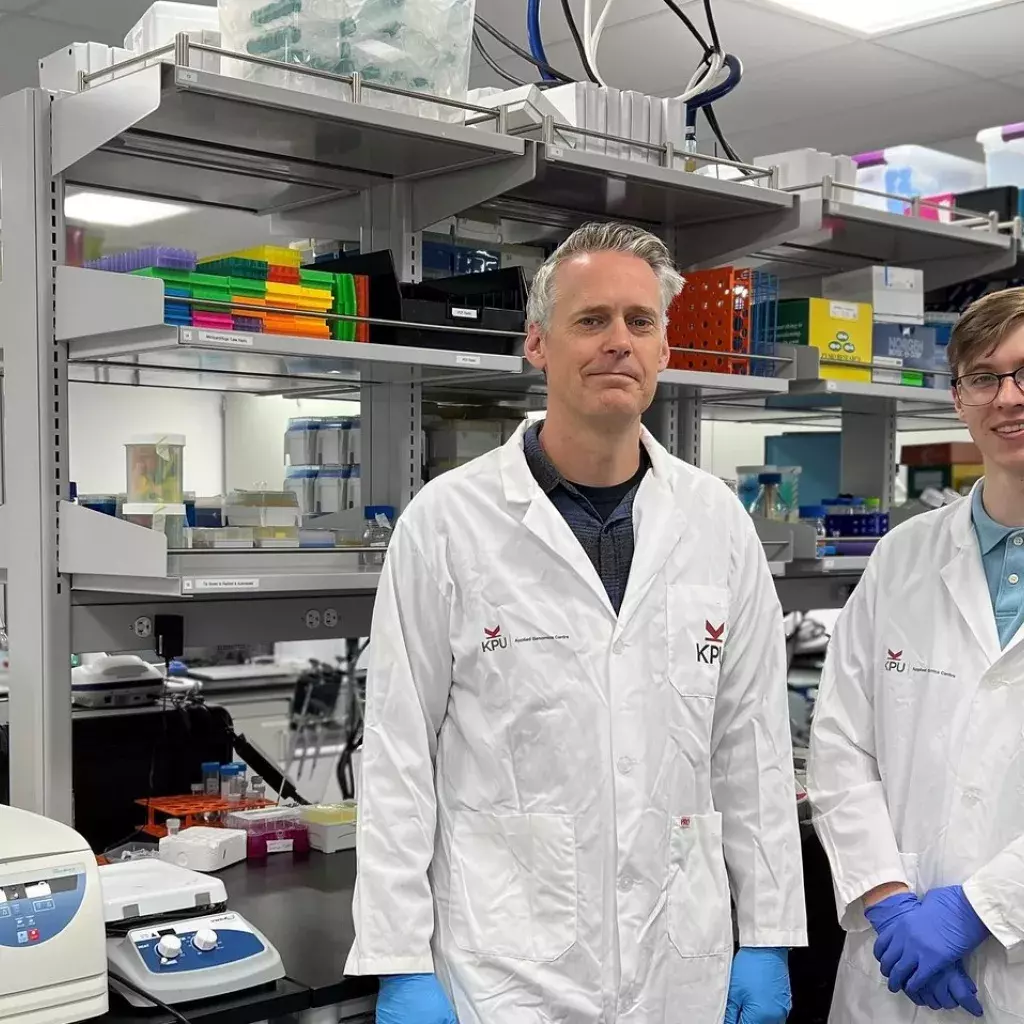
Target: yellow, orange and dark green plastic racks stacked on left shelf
[272,278]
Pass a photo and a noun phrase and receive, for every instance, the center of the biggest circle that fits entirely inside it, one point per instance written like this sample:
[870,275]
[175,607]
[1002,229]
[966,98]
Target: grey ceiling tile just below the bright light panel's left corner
[827,84]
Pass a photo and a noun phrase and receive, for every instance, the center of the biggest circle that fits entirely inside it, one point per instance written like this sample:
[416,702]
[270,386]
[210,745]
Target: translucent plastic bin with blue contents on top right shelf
[913,170]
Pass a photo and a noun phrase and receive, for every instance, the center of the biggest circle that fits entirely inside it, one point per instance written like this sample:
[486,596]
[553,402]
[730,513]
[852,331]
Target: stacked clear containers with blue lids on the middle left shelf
[323,457]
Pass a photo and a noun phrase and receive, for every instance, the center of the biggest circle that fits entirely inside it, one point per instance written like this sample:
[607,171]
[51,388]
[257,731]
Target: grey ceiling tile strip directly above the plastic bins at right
[927,119]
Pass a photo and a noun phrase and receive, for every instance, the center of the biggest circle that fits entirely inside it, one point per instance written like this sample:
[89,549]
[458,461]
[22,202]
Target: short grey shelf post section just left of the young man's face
[869,448]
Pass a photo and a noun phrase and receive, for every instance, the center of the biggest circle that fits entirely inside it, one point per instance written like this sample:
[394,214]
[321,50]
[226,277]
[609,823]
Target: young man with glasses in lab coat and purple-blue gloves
[917,769]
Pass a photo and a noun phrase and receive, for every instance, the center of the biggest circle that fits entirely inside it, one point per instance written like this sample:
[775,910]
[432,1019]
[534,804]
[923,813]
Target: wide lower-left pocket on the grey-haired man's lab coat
[515,885]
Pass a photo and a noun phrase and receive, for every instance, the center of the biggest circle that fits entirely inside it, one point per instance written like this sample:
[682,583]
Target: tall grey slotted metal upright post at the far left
[36,470]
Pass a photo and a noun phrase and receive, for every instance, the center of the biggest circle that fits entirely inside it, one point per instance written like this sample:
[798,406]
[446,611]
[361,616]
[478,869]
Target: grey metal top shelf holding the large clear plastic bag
[192,136]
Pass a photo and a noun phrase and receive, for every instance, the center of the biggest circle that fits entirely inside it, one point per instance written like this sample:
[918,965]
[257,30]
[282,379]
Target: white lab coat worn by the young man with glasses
[917,770]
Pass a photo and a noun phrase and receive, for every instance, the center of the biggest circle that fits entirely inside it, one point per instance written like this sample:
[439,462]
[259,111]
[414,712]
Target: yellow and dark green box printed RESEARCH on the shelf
[840,331]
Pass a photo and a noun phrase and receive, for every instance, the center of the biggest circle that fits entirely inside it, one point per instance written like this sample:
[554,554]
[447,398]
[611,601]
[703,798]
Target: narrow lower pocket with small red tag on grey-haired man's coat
[700,909]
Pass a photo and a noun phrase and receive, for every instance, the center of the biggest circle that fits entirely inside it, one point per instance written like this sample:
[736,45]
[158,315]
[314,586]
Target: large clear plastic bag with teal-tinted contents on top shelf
[419,46]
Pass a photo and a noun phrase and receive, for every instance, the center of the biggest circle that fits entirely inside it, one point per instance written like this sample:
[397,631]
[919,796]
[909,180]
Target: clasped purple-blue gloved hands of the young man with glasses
[922,944]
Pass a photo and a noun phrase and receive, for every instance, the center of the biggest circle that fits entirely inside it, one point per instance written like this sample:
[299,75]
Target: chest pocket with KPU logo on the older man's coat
[698,629]
